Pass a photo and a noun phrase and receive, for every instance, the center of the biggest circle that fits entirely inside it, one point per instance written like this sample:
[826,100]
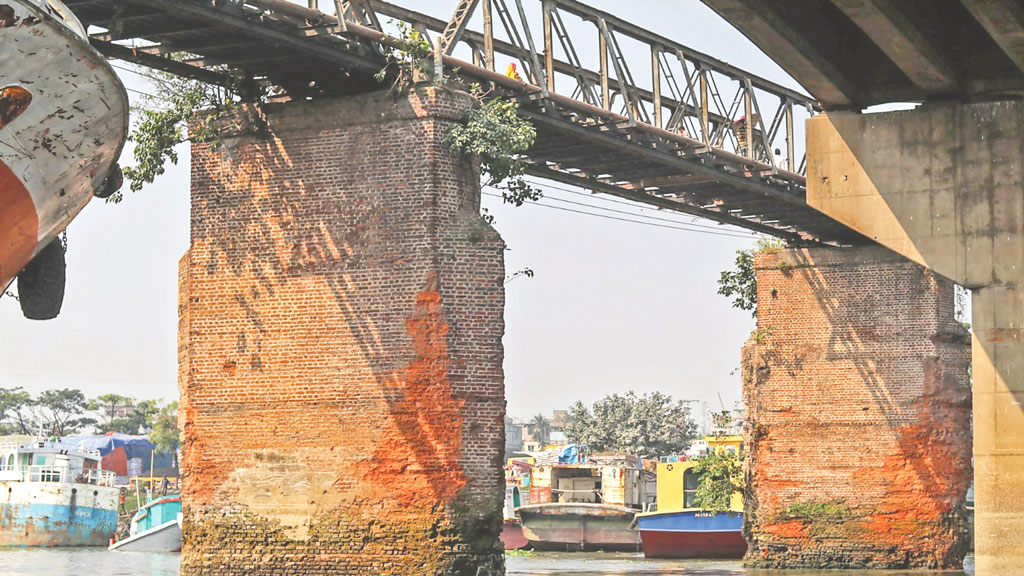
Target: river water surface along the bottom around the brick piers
[101,562]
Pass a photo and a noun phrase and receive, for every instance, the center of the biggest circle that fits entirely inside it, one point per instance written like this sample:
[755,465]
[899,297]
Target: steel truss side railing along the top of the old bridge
[676,89]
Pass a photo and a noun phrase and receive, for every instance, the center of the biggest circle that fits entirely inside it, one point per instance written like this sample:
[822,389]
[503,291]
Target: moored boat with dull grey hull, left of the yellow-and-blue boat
[587,505]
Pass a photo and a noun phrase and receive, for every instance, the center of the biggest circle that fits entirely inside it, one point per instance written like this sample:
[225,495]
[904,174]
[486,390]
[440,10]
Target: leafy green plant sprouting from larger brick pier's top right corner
[495,134]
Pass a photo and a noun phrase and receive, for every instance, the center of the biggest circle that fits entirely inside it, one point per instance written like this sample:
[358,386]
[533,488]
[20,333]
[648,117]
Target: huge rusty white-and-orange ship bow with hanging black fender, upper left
[64,121]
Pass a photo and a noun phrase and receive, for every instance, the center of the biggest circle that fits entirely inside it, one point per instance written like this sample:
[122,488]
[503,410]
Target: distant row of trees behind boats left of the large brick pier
[61,413]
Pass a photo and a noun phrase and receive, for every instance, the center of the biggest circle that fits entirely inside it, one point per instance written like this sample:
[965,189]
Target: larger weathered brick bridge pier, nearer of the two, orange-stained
[342,366]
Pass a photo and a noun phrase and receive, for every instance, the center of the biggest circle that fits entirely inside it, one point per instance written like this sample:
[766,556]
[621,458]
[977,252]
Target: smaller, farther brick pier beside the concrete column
[859,407]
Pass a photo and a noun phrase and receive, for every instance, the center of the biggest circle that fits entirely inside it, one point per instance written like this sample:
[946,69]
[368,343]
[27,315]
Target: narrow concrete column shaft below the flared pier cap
[999,429]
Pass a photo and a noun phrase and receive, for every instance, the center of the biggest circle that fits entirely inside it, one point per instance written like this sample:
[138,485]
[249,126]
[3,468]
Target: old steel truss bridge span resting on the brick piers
[675,129]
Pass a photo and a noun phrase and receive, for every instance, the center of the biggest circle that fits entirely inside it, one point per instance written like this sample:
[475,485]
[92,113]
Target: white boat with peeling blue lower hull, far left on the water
[55,495]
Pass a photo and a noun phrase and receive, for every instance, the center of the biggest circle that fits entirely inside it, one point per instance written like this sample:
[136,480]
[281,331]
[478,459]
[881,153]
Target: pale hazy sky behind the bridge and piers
[613,307]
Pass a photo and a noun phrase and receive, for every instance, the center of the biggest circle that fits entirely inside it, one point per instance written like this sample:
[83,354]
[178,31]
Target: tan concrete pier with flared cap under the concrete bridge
[943,186]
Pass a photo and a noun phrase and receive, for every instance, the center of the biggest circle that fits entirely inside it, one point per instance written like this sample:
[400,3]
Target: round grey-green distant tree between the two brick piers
[652,426]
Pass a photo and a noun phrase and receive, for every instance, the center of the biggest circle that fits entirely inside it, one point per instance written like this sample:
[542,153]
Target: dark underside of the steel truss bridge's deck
[244,46]
